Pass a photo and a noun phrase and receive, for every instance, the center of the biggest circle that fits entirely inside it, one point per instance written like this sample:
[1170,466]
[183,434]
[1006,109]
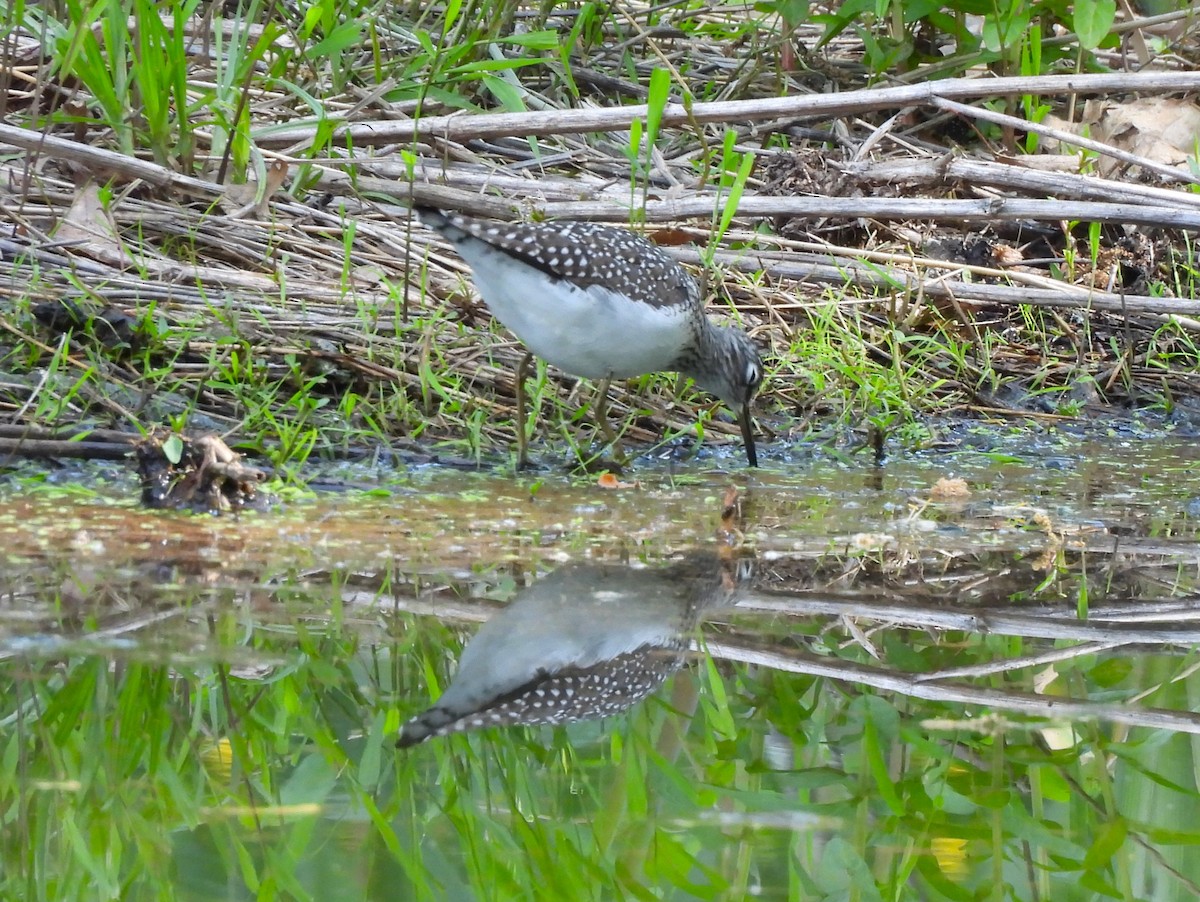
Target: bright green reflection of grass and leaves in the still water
[205,781]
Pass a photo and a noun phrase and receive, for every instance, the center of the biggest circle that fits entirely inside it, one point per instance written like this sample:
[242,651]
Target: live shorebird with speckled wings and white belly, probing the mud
[603,304]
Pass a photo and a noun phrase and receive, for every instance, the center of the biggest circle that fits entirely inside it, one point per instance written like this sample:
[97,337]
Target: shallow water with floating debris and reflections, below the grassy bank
[884,689]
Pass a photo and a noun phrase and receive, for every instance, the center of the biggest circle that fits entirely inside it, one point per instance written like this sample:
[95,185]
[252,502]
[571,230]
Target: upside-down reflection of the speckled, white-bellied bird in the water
[585,642]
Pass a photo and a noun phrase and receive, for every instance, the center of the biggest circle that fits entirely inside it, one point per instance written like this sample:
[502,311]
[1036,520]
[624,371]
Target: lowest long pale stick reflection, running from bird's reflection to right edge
[910,685]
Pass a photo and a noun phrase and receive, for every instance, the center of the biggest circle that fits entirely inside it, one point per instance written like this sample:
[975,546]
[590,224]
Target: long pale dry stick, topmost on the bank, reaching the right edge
[823,106]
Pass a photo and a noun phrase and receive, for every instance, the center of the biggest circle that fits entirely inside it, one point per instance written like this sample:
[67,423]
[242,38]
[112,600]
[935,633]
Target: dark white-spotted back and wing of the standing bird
[585,254]
